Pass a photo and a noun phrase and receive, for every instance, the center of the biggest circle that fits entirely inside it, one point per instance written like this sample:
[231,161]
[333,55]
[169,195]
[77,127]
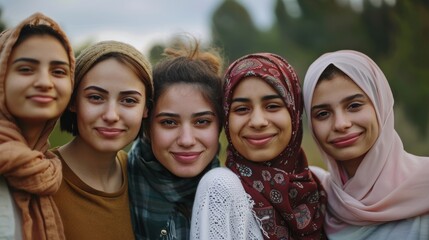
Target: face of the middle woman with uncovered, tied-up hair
[184,131]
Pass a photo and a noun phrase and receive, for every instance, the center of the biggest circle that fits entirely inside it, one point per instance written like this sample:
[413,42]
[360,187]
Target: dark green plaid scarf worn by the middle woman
[161,203]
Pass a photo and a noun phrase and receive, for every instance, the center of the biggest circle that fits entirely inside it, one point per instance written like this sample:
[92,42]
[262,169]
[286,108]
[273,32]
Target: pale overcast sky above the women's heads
[138,22]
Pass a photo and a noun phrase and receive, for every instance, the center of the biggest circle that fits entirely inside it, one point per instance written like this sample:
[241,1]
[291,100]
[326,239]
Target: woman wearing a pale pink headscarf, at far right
[375,189]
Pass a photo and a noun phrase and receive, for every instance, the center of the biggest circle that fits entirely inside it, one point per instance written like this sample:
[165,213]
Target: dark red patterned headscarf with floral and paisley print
[289,201]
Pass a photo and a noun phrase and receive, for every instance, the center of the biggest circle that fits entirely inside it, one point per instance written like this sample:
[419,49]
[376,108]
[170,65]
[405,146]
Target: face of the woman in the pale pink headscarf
[344,122]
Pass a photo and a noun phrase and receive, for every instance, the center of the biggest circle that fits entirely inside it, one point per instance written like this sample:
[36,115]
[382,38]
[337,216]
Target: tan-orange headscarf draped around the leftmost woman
[35,174]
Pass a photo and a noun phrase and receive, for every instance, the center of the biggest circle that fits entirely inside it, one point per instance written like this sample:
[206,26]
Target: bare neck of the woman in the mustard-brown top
[100,170]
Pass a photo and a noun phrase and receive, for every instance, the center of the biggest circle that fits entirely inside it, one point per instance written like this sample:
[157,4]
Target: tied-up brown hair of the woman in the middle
[188,64]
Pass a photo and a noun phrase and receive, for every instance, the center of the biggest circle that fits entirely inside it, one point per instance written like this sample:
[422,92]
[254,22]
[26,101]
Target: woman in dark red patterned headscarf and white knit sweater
[268,192]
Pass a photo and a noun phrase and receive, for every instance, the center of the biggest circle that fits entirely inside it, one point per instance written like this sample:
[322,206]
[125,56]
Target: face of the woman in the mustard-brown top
[110,106]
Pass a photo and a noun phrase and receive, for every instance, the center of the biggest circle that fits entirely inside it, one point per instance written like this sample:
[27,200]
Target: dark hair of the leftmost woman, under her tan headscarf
[30,30]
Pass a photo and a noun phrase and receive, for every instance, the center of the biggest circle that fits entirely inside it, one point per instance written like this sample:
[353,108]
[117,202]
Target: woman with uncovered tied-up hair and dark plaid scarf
[180,144]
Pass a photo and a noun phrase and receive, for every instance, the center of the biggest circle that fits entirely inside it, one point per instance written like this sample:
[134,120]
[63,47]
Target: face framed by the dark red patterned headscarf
[259,122]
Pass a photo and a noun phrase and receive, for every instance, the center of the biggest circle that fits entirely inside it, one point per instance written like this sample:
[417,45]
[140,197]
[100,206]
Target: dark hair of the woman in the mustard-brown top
[68,120]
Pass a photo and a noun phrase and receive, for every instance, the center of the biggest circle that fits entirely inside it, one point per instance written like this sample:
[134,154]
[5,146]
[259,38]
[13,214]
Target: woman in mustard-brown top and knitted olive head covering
[113,87]
